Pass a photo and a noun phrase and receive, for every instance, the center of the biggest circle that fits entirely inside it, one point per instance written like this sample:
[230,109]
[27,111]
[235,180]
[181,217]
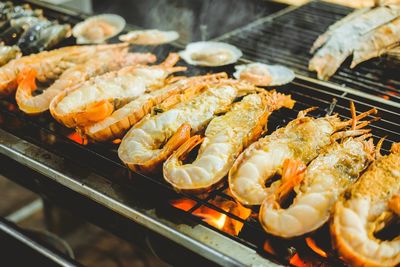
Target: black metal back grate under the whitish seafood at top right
[286,40]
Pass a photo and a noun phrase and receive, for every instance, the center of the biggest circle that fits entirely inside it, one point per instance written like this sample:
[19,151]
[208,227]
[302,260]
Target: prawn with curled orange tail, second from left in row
[101,63]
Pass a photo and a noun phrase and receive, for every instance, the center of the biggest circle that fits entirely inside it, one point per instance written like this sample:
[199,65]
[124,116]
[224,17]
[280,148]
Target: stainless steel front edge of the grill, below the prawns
[199,239]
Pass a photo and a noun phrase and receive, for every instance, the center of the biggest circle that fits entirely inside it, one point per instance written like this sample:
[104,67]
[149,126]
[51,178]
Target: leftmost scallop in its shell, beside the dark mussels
[99,28]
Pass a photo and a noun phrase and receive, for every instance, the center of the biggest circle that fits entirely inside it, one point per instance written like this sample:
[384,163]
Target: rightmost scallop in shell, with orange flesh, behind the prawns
[264,75]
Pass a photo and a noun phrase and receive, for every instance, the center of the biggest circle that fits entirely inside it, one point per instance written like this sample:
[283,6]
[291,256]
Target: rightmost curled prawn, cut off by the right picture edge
[367,207]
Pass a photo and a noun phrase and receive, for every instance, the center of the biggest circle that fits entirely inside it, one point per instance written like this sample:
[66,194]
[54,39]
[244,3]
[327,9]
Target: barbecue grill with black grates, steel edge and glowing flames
[90,180]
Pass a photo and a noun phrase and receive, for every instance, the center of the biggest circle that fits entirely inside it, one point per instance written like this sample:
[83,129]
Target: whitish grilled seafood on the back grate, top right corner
[365,33]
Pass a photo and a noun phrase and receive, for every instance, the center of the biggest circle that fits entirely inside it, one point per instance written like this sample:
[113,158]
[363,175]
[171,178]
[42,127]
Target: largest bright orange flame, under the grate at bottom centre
[214,218]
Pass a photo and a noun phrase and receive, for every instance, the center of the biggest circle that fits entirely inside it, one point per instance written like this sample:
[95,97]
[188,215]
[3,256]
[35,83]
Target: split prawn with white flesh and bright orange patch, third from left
[97,98]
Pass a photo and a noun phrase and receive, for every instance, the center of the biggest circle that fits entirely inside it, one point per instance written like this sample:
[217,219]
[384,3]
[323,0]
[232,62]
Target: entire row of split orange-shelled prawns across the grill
[104,91]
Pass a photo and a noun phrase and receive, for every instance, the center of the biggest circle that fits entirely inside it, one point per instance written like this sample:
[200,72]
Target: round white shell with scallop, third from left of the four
[211,54]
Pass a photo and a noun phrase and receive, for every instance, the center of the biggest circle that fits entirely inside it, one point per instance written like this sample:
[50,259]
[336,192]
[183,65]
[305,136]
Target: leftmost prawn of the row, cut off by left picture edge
[49,65]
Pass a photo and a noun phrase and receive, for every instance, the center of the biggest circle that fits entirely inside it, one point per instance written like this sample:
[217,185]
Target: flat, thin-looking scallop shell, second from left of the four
[149,37]
